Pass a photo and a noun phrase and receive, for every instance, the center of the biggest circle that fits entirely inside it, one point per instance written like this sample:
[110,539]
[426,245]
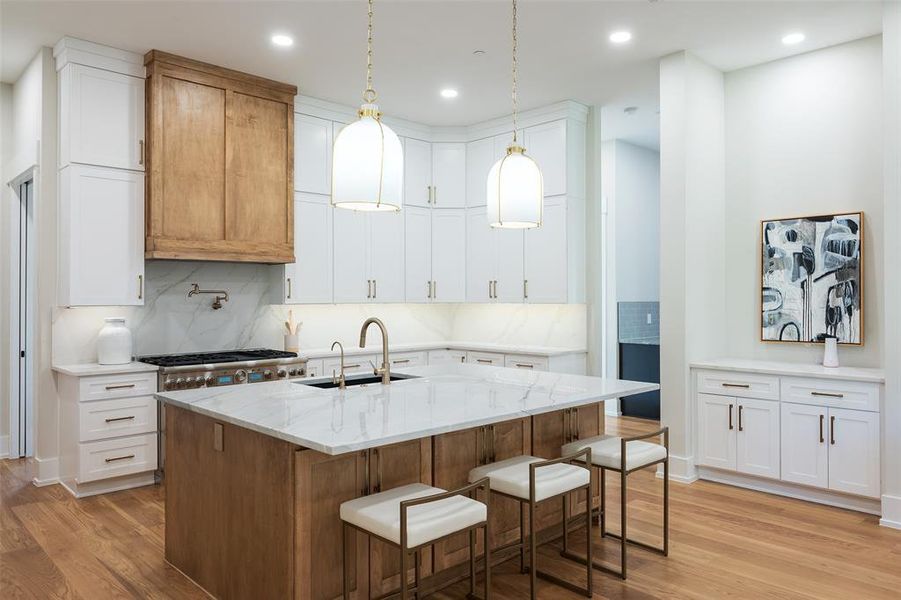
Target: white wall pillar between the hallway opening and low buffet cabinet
[692,265]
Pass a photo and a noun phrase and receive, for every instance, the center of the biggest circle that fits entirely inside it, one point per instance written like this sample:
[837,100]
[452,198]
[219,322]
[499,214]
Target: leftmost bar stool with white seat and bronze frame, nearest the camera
[414,516]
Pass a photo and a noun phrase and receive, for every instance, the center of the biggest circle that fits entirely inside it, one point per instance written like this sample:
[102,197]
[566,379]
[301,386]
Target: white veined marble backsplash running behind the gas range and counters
[171,322]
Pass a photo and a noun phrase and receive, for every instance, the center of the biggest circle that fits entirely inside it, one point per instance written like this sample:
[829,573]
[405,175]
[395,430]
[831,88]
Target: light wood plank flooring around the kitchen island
[725,543]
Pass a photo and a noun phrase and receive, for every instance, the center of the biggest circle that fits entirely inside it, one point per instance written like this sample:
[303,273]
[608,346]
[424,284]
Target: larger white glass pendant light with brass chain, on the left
[367,158]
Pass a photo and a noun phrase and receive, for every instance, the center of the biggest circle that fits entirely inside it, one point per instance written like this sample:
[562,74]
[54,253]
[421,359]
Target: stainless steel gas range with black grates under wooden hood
[213,369]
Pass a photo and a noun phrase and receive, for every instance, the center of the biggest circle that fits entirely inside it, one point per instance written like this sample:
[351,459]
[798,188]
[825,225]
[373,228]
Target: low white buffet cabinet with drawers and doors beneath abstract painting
[804,430]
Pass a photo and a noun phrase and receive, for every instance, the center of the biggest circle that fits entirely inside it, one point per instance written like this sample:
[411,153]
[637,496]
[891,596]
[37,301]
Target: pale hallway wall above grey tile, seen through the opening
[634,197]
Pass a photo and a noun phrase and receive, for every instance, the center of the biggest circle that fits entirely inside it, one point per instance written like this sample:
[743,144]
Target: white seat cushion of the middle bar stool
[511,477]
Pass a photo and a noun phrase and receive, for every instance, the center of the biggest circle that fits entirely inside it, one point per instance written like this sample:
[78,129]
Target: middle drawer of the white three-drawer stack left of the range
[117,417]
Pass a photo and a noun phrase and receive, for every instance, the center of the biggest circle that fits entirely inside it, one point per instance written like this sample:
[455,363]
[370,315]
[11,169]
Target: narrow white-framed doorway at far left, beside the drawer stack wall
[22,270]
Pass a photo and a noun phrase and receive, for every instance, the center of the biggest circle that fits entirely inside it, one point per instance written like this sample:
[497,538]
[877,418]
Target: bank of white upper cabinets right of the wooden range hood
[440,247]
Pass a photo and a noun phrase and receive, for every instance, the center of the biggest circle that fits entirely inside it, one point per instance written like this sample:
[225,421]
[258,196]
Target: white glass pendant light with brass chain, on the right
[515,185]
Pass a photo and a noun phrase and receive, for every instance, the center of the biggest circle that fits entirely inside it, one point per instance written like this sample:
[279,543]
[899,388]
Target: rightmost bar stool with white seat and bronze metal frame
[625,456]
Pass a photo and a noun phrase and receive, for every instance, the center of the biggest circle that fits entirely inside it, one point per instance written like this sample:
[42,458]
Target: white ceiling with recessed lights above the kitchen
[422,46]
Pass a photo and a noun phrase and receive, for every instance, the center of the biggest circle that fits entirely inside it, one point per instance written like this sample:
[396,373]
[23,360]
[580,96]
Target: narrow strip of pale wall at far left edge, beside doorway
[6,197]
